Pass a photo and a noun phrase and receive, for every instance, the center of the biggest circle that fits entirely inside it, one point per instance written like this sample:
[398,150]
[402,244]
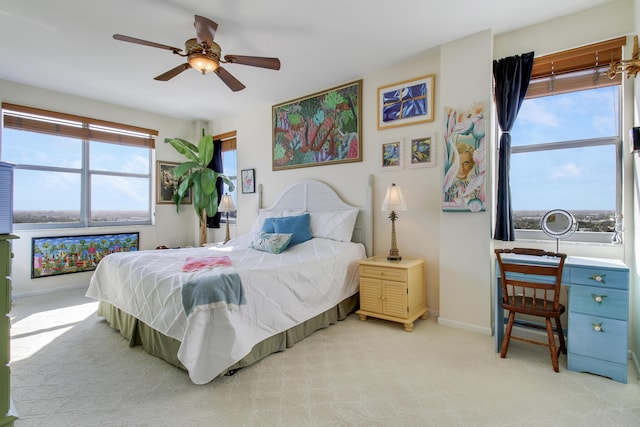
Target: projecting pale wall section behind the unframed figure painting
[465,237]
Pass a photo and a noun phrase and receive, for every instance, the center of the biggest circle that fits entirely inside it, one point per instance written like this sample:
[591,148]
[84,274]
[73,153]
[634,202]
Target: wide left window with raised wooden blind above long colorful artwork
[73,171]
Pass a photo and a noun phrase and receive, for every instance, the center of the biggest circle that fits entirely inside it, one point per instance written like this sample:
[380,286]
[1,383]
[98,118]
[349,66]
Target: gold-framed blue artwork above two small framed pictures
[406,103]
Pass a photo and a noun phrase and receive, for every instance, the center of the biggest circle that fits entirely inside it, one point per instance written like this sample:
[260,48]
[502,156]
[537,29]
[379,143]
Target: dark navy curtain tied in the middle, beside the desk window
[511,79]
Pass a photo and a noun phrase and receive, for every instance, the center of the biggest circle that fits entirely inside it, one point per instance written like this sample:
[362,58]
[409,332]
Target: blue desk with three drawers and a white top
[598,311]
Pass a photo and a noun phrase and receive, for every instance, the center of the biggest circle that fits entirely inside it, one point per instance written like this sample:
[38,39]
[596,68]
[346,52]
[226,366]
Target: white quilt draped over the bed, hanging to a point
[281,290]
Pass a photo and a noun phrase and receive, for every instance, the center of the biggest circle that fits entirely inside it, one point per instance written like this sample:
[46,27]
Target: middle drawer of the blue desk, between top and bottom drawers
[599,301]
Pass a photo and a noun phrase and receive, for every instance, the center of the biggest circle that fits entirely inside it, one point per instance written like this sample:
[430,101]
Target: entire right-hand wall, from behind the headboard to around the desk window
[457,246]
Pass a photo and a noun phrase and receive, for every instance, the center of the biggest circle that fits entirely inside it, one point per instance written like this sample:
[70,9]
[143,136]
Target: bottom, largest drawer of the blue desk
[608,343]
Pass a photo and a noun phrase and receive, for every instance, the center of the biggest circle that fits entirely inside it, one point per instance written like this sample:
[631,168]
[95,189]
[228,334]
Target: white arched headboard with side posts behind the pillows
[316,196]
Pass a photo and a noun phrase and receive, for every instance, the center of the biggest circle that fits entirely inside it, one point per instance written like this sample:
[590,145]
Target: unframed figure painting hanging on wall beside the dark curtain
[463,188]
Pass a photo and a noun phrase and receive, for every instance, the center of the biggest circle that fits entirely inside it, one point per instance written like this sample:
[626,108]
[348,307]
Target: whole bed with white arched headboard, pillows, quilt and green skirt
[215,309]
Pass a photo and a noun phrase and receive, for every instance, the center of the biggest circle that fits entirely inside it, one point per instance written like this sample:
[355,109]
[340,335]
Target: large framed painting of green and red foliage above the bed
[320,129]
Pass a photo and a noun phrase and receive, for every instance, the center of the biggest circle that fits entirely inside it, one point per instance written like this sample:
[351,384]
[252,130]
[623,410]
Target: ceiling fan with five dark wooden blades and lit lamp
[205,55]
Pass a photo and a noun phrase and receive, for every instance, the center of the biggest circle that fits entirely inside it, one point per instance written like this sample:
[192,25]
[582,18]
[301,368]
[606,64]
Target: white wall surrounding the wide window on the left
[170,229]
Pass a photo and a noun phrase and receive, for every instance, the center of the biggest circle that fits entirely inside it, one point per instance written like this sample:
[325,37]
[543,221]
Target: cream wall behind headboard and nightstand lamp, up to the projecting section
[417,228]
